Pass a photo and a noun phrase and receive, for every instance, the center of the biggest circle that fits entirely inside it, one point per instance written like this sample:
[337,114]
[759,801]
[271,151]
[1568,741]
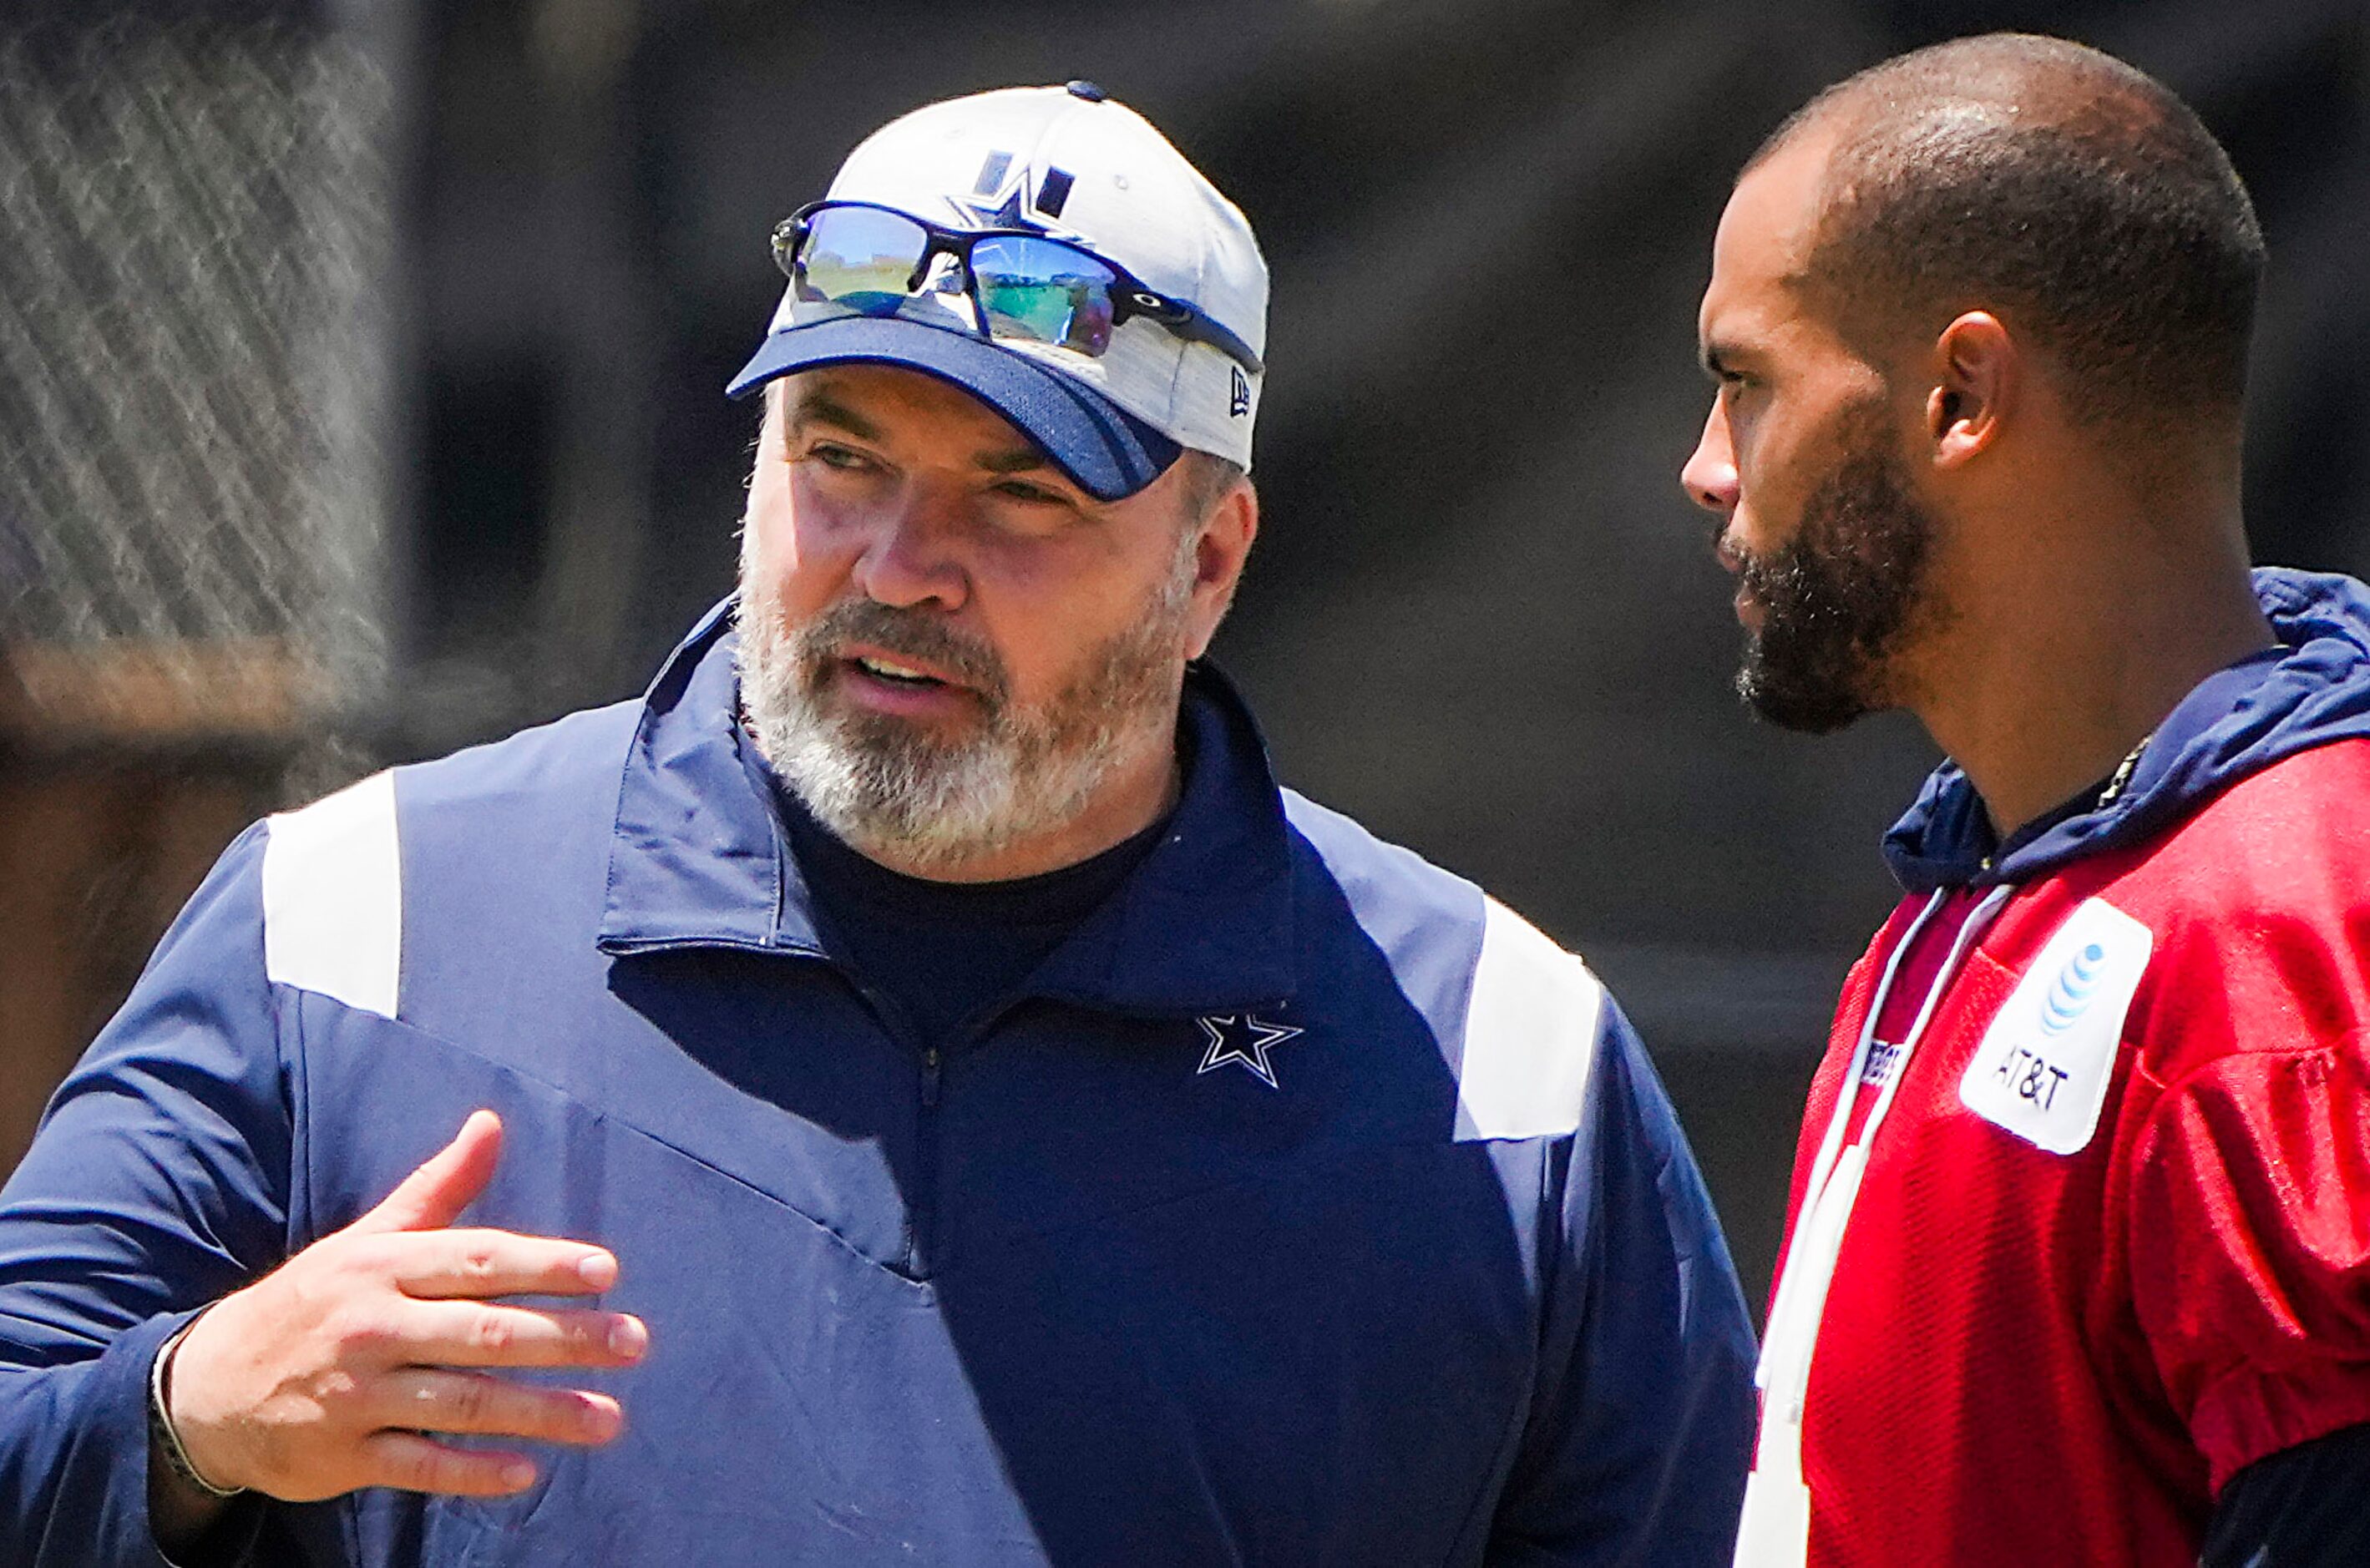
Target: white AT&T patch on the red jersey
[2049,1055]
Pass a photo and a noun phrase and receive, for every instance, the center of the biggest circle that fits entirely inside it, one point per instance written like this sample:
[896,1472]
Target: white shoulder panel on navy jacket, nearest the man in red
[1530,1034]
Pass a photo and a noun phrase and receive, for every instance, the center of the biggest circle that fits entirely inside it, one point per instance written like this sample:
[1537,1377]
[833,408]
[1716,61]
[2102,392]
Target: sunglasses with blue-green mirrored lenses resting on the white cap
[1023,285]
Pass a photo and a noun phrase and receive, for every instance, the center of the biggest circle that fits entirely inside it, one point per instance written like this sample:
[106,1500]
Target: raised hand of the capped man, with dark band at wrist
[331,1373]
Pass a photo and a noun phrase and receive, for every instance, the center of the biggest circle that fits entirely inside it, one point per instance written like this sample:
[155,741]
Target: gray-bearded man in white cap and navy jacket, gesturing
[952,1105]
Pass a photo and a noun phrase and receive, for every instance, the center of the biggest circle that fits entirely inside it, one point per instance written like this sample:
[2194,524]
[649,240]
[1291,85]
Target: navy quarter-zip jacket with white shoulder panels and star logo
[1302,1209]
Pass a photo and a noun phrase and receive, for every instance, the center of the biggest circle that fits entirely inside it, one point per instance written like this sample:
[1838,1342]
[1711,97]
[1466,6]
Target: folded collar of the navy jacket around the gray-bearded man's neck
[700,856]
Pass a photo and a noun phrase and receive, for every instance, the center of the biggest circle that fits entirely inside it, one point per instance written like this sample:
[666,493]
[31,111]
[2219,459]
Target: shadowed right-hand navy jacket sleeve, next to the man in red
[1641,1429]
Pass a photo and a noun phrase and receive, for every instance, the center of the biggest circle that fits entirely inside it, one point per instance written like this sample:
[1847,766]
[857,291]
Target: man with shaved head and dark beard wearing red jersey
[2080,1257]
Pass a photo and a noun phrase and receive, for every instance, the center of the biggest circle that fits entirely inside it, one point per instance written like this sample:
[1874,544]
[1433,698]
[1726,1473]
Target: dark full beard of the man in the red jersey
[1843,596]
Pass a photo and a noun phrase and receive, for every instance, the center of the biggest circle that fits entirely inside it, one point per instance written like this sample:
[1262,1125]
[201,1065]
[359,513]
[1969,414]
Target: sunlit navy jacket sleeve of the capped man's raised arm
[155,1185]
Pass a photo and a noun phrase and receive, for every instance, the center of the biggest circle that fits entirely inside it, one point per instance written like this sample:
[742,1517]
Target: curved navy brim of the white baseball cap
[1108,451]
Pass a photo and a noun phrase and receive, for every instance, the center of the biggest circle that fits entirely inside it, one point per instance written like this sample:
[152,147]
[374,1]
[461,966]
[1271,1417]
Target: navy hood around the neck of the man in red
[2314,688]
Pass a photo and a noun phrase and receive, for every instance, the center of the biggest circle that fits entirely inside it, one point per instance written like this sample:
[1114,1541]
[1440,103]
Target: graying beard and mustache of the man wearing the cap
[902,795]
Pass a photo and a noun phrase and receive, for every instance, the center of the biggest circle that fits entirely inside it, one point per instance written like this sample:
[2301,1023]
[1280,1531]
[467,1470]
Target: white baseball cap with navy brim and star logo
[1179,368]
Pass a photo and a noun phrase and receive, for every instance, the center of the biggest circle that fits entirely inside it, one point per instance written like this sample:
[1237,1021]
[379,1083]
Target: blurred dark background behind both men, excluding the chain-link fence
[1480,615]
